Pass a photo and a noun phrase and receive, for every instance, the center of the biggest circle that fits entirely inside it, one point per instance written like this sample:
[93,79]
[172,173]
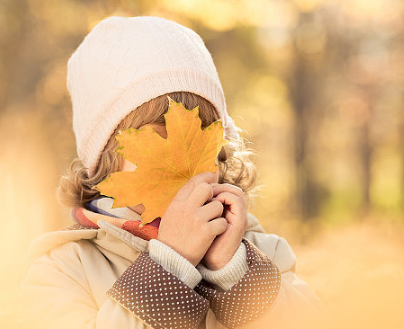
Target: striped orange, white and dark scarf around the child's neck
[125,218]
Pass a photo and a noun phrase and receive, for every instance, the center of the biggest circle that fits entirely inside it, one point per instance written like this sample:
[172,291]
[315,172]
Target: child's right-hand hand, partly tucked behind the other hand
[225,245]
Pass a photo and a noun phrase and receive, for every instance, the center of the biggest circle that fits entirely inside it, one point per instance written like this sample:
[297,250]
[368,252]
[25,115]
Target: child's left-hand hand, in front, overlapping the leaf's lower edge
[188,225]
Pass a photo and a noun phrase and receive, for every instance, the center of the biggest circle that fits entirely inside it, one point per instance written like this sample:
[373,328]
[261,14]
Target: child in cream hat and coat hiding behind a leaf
[206,263]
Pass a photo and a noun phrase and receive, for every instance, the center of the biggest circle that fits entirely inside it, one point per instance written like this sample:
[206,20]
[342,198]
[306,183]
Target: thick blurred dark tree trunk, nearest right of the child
[305,83]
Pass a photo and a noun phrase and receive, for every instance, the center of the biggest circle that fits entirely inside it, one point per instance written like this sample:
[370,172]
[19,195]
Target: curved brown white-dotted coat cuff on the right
[251,297]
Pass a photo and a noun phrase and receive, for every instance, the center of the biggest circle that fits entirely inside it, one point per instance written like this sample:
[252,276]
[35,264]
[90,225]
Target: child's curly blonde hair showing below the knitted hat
[235,166]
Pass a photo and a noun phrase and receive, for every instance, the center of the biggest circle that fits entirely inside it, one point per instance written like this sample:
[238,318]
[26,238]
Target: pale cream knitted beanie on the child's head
[126,61]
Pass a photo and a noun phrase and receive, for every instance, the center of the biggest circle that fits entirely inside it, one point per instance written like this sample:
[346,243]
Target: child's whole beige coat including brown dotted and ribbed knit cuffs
[109,278]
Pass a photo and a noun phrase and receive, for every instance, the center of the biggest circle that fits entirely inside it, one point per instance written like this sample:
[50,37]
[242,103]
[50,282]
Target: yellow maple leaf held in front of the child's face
[163,165]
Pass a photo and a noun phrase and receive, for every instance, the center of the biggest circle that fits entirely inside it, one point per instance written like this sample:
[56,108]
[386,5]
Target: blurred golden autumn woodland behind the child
[316,84]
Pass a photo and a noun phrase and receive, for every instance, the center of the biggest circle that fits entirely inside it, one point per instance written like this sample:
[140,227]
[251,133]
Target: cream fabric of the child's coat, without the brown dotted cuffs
[72,270]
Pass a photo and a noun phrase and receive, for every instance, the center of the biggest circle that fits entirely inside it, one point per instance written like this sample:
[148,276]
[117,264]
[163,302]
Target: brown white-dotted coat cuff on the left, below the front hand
[158,297]
